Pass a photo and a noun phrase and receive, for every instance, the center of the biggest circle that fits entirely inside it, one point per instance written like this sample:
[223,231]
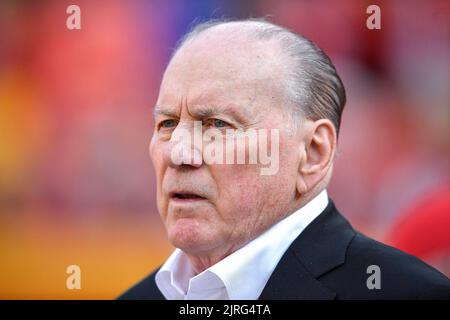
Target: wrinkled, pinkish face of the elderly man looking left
[216,208]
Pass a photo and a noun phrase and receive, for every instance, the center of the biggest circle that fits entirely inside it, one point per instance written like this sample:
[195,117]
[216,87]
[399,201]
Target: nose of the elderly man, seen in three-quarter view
[184,147]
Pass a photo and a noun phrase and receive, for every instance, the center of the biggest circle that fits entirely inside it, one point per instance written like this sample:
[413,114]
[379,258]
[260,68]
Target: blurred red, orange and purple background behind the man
[76,181]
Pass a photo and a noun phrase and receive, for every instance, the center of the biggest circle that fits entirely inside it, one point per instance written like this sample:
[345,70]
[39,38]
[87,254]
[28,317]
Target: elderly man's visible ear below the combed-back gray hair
[316,153]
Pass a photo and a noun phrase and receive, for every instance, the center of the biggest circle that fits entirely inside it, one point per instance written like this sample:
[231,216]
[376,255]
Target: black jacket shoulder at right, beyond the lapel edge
[399,275]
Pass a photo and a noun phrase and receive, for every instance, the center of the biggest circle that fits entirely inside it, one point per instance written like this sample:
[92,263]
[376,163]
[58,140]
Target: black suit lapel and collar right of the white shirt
[318,249]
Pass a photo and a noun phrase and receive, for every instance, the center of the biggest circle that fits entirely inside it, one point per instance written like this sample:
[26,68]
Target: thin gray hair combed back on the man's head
[312,84]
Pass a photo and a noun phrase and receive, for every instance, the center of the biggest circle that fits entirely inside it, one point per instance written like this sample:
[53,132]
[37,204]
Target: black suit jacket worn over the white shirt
[329,260]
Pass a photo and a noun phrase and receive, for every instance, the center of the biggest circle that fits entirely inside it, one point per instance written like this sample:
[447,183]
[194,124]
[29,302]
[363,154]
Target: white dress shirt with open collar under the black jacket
[243,274]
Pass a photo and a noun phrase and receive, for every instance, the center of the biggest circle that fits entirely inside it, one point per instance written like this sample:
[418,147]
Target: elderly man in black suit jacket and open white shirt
[243,234]
